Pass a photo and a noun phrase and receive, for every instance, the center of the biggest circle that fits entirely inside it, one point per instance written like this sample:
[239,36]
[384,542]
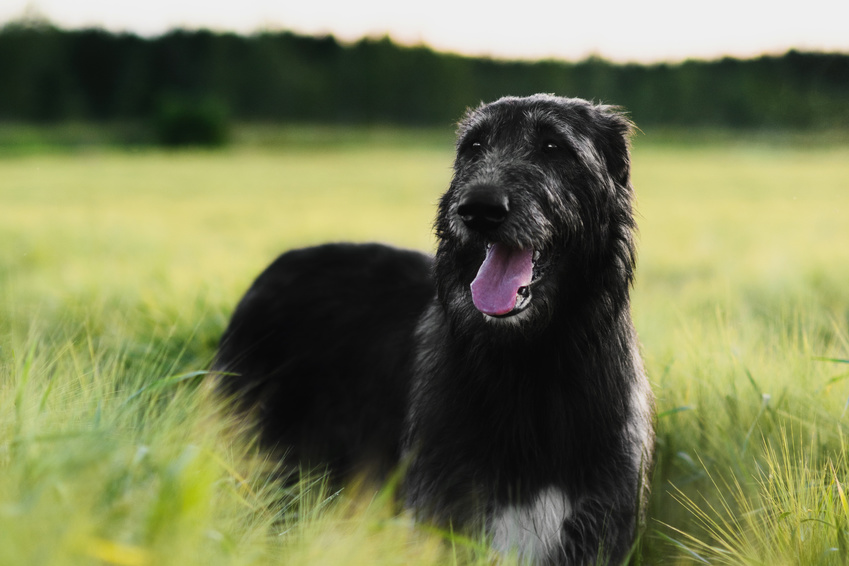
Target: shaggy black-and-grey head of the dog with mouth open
[540,203]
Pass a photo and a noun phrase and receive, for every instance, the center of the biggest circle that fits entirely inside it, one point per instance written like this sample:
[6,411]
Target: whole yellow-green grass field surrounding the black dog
[118,271]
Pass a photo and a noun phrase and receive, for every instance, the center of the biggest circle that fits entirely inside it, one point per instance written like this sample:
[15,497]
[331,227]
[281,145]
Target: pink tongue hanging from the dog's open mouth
[504,270]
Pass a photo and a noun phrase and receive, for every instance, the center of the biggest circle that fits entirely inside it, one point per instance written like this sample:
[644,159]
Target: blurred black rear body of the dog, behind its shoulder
[320,348]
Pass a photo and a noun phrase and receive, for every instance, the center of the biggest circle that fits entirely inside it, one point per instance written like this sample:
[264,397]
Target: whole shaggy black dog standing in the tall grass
[505,373]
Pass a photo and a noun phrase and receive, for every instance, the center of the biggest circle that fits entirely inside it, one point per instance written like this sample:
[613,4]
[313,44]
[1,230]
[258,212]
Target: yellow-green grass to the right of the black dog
[741,293]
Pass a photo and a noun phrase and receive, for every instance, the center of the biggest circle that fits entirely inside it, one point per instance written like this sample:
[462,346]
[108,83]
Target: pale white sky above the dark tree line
[621,30]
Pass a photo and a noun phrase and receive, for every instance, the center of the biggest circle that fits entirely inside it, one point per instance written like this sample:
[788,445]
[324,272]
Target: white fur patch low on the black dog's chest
[532,531]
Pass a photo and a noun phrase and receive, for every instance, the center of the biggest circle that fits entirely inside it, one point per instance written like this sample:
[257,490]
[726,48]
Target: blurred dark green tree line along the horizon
[48,74]
